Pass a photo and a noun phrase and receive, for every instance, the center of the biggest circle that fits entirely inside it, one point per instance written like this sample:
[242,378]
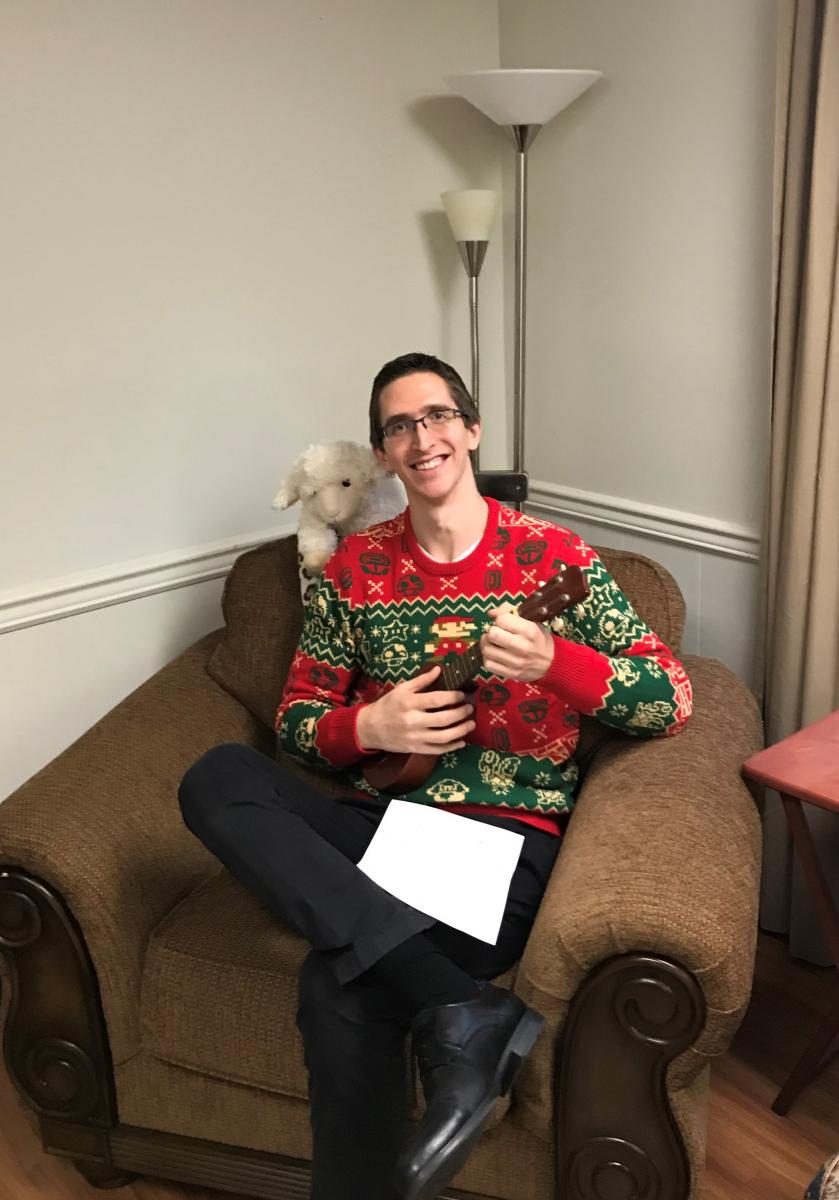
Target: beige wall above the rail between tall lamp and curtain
[649,297]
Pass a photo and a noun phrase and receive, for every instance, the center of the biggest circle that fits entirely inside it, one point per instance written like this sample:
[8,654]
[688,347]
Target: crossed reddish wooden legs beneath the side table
[811,1063]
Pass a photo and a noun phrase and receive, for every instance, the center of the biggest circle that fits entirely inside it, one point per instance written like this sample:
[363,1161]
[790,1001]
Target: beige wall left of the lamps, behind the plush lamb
[220,218]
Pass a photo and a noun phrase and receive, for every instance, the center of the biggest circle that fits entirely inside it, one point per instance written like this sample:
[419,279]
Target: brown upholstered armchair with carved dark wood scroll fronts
[152,1025]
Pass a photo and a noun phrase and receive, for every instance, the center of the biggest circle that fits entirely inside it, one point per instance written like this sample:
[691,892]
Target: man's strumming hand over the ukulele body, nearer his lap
[405,722]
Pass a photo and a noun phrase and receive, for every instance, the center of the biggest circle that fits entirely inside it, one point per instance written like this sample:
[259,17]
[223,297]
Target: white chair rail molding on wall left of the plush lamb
[121,583]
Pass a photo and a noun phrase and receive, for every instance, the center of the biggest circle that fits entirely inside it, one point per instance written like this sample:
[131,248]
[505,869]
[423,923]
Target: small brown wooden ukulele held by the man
[400,773]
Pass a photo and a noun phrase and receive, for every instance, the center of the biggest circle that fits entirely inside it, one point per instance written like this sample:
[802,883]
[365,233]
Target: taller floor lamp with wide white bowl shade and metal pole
[523,100]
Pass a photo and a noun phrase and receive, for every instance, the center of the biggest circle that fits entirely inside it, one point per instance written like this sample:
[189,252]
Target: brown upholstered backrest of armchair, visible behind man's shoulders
[263,617]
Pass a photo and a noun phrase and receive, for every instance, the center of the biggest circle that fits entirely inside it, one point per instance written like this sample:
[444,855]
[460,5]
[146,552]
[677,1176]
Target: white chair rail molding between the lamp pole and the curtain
[688,530]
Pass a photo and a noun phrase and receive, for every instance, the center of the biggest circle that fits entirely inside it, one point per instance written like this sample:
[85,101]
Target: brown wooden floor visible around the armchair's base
[753,1155]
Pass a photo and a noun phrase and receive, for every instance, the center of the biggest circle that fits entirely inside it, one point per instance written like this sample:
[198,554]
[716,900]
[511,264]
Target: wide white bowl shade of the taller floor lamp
[531,97]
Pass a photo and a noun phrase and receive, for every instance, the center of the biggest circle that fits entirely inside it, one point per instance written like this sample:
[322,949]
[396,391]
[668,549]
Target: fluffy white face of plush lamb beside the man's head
[332,479]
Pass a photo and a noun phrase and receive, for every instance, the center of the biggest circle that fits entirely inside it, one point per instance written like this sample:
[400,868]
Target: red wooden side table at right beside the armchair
[805,769]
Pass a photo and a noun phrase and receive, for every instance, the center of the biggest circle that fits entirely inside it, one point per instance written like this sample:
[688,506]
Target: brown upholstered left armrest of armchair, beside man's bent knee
[101,826]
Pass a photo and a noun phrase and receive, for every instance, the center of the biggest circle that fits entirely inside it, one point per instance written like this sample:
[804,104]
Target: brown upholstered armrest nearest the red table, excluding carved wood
[662,856]
